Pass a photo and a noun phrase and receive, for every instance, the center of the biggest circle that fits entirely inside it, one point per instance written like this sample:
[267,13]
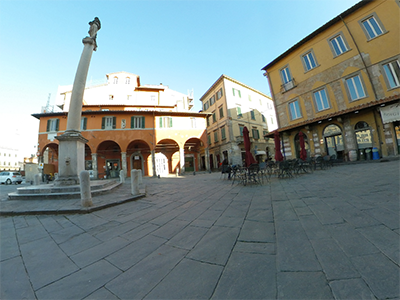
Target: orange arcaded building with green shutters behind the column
[129,126]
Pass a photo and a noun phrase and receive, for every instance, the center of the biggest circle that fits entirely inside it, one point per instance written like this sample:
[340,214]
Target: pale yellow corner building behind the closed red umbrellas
[231,106]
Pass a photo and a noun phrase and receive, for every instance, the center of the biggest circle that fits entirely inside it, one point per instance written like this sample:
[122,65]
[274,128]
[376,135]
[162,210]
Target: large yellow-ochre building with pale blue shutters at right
[340,85]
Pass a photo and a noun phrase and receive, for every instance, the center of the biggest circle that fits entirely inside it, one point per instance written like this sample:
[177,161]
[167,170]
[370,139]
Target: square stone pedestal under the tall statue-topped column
[71,158]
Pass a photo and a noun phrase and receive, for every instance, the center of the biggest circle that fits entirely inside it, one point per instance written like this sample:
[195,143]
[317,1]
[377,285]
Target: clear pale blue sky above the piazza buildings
[183,44]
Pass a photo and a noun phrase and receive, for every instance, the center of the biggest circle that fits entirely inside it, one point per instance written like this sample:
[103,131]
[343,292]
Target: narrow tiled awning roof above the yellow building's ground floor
[337,114]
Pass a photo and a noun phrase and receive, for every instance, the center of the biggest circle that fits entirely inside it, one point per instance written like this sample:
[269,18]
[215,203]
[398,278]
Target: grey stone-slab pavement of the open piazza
[333,234]
